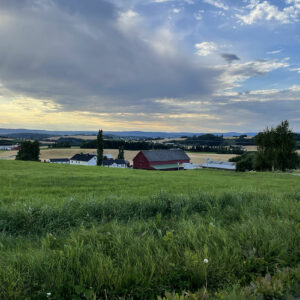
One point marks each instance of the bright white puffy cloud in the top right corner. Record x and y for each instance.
(264, 11)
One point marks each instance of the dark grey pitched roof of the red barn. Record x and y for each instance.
(165, 155)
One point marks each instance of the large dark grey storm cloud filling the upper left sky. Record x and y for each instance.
(74, 52)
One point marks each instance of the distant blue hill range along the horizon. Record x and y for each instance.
(28, 133)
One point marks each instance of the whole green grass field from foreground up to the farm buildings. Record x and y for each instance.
(100, 233)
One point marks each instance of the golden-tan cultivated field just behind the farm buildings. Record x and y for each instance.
(46, 153)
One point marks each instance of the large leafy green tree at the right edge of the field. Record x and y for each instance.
(276, 149)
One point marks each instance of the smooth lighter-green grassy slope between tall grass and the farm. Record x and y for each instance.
(52, 184)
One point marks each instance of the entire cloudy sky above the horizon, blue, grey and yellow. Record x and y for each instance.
(150, 65)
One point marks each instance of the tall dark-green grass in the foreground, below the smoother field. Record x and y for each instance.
(141, 248)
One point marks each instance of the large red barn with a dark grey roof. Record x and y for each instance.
(160, 159)
